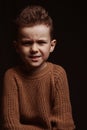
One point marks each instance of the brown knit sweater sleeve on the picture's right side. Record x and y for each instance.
(61, 117)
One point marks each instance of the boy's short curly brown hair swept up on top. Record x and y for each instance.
(34, 15)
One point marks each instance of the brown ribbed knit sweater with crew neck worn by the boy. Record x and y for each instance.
(37, 101)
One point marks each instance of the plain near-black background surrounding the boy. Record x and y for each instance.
(70, 26)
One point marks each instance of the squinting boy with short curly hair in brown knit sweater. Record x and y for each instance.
(36, 94)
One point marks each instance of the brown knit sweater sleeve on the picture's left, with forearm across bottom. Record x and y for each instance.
(10, 106)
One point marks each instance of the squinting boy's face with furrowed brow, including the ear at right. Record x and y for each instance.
(34, 45)
